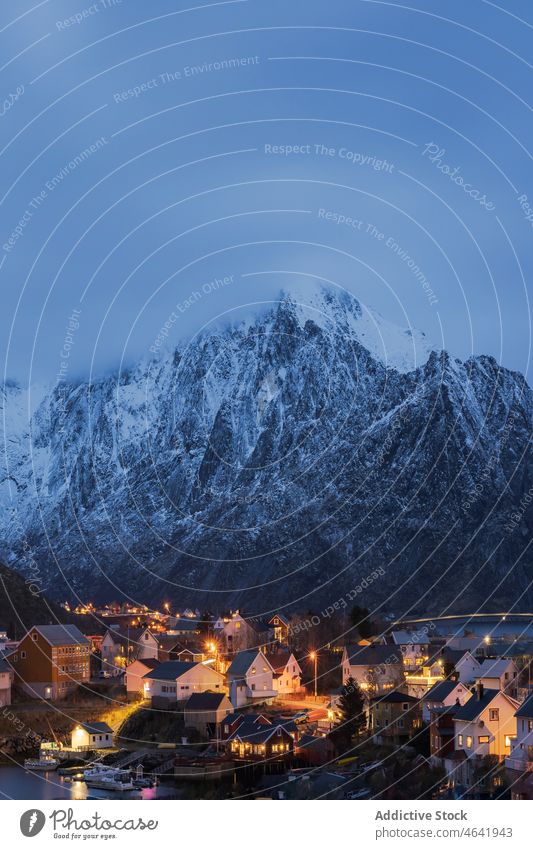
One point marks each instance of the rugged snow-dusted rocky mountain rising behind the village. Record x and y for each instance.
(278, 461)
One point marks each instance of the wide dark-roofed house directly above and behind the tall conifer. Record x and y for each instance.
(375, 668)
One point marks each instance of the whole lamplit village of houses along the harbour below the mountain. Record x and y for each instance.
(198, 705)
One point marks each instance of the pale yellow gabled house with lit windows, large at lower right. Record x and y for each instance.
(483, 726)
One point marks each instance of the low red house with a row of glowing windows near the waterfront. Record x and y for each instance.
(253, 740)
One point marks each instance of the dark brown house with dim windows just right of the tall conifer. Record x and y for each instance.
(394, 718)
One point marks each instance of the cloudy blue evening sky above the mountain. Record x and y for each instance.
(156, 139)
